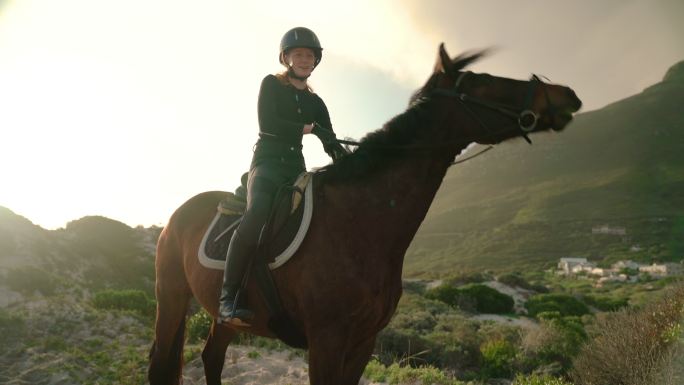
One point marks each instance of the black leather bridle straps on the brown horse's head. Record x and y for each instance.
(525, 117)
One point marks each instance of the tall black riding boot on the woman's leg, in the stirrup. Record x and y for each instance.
(237, 260)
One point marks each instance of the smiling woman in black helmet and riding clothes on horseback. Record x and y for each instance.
(287, 109)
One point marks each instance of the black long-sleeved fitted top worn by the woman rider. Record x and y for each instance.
(283, 112)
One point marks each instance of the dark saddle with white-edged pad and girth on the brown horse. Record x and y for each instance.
(280, 238)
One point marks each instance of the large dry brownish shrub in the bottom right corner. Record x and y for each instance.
(632, 346)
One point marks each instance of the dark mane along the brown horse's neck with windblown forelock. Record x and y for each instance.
(378, 148)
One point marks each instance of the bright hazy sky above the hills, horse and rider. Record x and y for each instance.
(128, 108)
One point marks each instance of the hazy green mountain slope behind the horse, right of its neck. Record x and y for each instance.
(520, 205)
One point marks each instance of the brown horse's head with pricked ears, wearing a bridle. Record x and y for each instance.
(501, 108)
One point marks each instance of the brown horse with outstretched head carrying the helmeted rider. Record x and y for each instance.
(343, 284)
